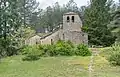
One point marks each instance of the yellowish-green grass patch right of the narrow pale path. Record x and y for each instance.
(102, 68)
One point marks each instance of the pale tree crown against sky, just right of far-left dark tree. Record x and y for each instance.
(27, 9)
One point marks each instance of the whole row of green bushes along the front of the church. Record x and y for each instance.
(61, 48)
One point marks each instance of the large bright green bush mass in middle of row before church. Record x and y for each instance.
(60, 48)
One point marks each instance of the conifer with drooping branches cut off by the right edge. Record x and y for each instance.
(115, 24)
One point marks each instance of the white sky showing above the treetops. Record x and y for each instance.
(45, 3)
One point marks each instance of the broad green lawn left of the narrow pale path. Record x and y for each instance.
(45, 67)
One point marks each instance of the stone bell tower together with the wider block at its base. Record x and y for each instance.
(72, 31)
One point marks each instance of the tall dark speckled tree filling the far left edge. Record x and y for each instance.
(9, 23)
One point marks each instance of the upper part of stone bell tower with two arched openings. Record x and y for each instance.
(71, 22)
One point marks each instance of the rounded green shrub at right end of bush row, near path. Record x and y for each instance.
(82, 50)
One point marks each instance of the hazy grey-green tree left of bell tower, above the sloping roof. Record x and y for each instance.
(51, 17)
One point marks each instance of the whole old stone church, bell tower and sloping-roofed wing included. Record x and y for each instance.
(71, 30)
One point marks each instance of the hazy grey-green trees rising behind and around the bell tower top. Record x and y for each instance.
(48, 19)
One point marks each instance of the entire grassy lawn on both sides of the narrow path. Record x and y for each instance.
(57, 67)
